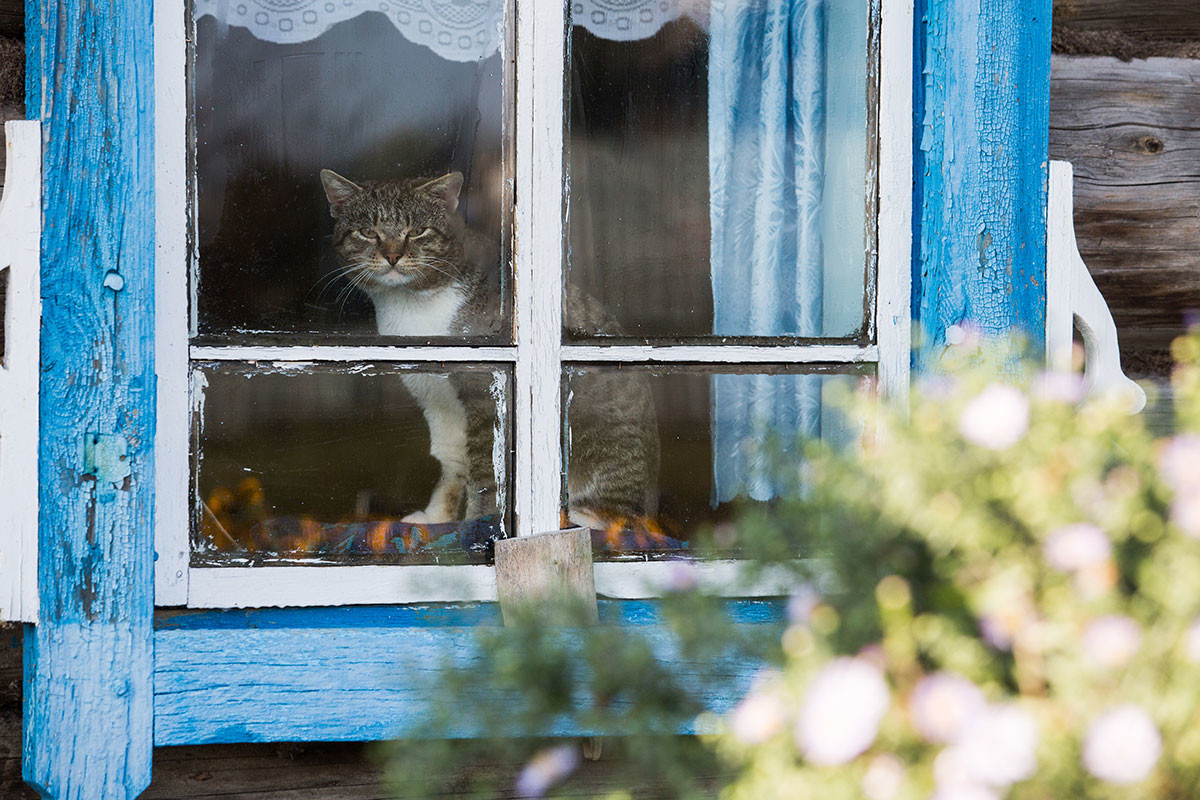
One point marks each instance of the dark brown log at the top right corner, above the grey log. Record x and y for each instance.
(1175, 20)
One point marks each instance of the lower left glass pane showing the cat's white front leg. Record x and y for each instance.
(355, 464)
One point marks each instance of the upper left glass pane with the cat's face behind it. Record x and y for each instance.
(391, 100)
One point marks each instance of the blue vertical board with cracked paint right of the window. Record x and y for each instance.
(981, 199)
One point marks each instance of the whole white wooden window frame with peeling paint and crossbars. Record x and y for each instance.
(538, 354)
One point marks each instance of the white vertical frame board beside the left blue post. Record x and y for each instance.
(172, 315)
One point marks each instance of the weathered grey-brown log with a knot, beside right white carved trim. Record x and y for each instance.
(1131, 133)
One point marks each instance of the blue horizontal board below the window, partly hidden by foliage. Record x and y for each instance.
(359, 675)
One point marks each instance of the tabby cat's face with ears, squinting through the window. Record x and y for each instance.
(399, 233)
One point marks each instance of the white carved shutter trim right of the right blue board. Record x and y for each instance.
(1075, 302)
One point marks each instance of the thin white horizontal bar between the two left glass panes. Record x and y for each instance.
(356, 354)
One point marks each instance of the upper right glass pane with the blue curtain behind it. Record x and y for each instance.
(719, 169)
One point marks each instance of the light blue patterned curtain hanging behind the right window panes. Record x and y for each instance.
(767, 135)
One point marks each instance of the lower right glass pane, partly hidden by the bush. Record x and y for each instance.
(657, 454)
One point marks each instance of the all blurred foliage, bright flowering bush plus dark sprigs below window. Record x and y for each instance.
(995, 596)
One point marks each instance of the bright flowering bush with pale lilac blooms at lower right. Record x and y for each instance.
(1034, 625)
